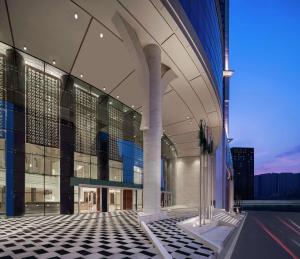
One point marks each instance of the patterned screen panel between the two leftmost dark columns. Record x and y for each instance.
(42, 108)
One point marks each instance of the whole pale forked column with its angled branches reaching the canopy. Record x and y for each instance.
(148, 67)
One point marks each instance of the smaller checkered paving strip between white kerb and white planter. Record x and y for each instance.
(177, 243)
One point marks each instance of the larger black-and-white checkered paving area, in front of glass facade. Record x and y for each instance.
(96, 235)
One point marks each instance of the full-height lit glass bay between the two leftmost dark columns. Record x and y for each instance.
(42, 158)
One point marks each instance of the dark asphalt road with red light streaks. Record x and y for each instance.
(269, 235)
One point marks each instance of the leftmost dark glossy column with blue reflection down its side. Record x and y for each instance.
(15, 133)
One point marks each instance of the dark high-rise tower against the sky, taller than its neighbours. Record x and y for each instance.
(243, 167)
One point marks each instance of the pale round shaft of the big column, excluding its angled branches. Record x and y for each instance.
(152, 136)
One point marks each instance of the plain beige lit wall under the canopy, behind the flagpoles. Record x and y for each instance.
(187, 181)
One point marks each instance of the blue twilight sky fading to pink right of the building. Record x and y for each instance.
(265, 89)
